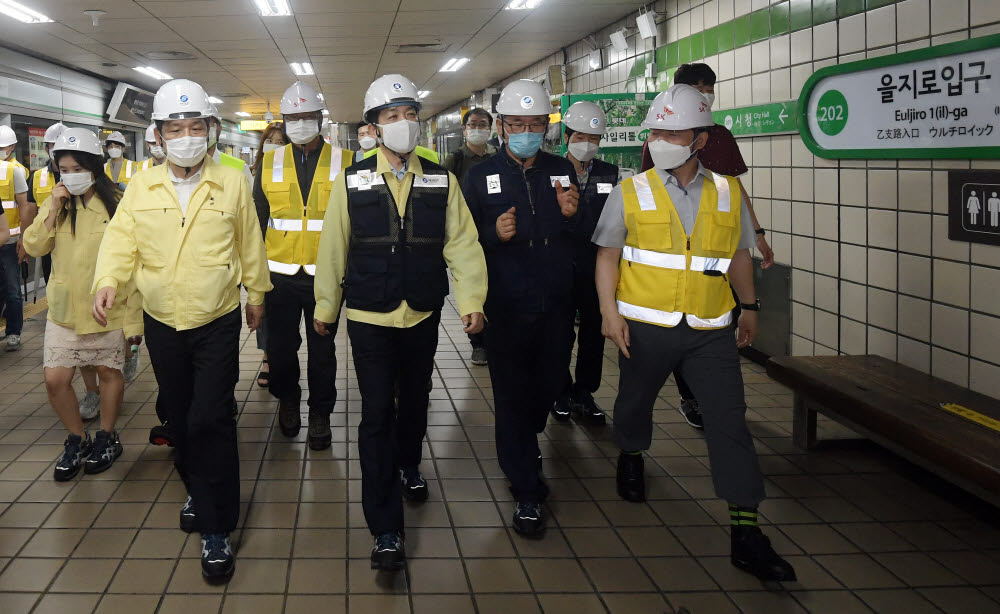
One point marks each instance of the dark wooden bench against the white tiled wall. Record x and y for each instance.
(899, 408)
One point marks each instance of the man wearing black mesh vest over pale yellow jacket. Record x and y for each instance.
(393, 224)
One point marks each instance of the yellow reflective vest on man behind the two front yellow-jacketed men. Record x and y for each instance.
(292, 236)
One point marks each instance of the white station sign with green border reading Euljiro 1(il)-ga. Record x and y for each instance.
(938, 102)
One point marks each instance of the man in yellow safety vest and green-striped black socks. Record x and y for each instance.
(672, 240)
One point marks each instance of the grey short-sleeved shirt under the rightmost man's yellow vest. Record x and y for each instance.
(611, 230)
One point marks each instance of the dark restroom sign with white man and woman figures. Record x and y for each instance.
(974, 206)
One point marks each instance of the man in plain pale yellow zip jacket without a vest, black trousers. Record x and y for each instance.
(189, 231)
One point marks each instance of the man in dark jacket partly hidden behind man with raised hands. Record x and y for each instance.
(585, 123)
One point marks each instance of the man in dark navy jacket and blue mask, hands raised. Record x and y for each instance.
(524, 202)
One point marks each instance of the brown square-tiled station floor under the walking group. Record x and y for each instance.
(865, 531)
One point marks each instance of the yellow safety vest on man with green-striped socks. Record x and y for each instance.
(665, 273)
